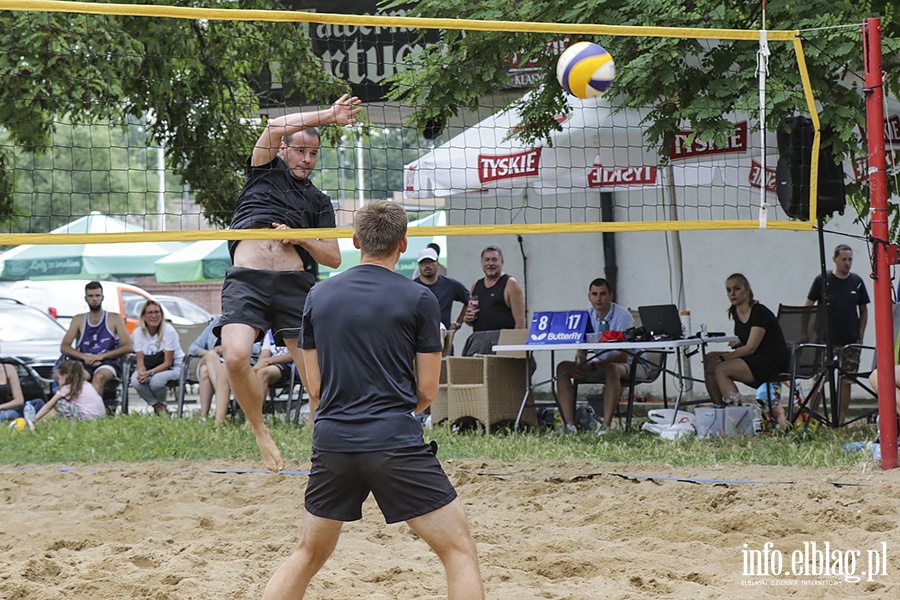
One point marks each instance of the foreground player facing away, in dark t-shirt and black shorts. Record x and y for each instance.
(370, 366)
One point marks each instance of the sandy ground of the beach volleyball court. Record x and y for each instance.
(544, 530)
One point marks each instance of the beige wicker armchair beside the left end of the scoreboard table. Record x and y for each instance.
(488, 389)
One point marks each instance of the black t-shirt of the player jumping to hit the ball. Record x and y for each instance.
(272, 195)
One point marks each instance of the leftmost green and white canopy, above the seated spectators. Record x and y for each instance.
(86, 261)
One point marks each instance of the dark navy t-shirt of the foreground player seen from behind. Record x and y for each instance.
(367, 325)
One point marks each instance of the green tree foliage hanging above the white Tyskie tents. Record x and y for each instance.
(681, 81)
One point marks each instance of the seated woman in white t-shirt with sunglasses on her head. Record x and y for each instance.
(158, 356)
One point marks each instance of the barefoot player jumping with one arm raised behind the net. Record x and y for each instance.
(270, 278)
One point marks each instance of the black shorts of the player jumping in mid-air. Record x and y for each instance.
(265, 300)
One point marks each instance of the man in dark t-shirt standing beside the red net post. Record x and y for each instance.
(847, 313)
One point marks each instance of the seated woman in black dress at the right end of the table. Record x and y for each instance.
(759, 354)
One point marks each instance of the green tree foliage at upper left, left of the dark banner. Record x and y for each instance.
(193, 81)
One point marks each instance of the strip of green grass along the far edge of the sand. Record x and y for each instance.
(139, 438)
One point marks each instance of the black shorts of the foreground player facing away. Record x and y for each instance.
(406, 482)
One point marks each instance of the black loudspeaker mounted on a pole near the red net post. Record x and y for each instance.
(795, 138)
